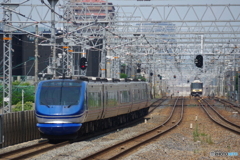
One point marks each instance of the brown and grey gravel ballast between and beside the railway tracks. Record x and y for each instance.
(204, 138)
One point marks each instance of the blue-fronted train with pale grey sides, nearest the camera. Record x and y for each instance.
(63, 106)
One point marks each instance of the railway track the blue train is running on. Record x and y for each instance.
(44, 146)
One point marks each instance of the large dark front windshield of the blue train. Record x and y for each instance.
(60, 93)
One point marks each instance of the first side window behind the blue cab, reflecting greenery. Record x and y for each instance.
(94, 100)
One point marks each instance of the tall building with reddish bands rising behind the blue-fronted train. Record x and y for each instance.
(86, 12)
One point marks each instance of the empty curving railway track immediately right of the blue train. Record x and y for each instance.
(118, 150)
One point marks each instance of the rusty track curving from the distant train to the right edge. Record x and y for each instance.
(217, 118)
